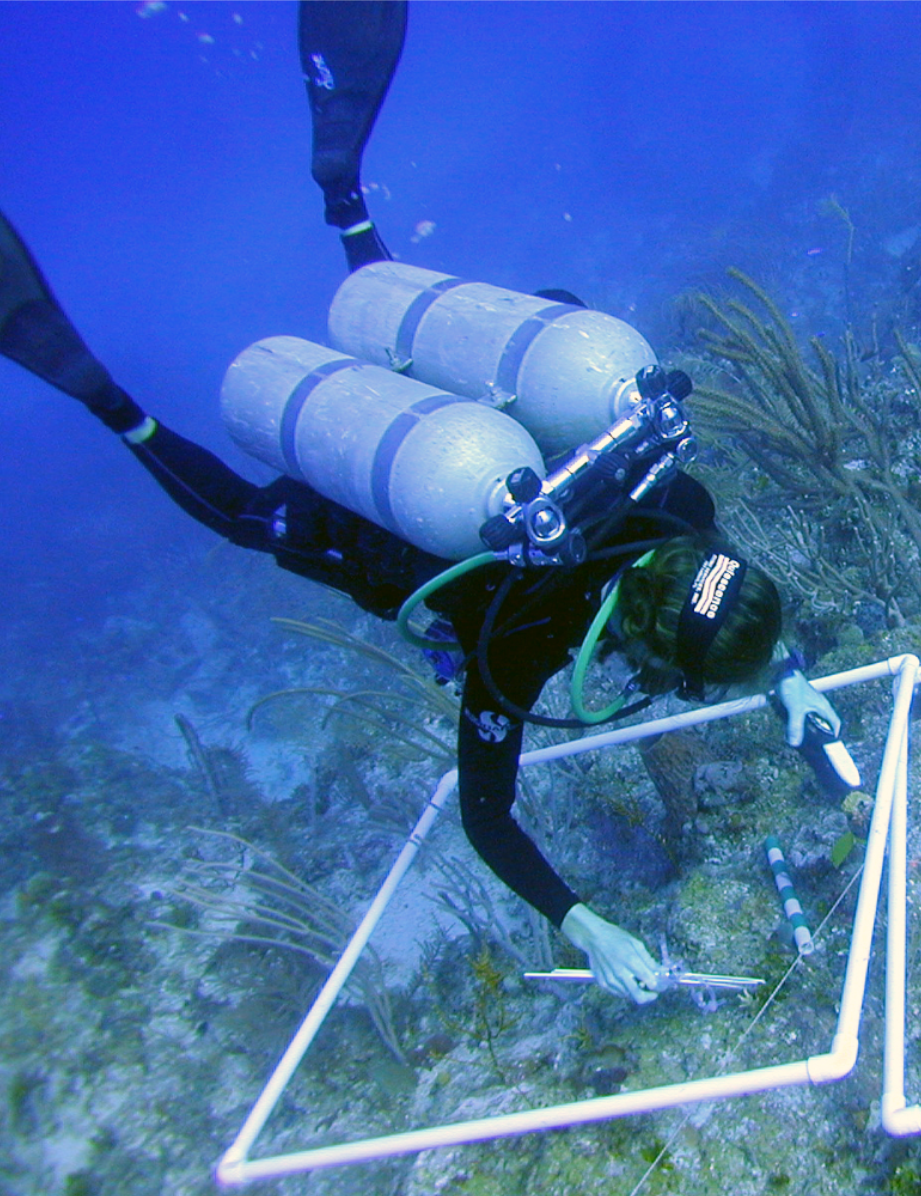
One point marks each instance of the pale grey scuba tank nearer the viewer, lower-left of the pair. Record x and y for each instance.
(429, 466)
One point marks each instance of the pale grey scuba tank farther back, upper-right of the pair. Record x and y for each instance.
(566, 373)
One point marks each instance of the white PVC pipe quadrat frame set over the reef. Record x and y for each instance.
(889, 823)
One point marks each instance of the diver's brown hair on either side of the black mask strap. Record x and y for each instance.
(651, 599)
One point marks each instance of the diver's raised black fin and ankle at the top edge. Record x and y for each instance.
(349, 51)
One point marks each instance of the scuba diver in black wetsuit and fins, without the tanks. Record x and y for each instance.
(684, 607)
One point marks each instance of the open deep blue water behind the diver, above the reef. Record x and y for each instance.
(626, 151)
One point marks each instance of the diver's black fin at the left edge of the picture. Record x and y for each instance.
(36, 334)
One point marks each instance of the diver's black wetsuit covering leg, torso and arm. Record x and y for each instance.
(544, 618)
